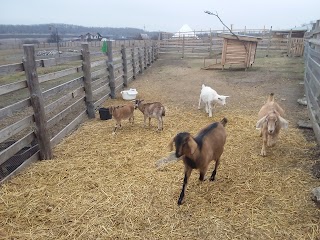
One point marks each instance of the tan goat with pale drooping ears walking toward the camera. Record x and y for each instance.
(270, 122)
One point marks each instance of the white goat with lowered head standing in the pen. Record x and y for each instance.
(209, 97)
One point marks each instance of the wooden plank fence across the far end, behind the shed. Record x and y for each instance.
(209, 45)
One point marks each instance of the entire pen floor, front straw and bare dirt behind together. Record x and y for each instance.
(107, 187)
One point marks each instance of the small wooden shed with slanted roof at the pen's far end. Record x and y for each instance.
(238, 50)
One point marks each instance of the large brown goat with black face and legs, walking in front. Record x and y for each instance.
(199, 151)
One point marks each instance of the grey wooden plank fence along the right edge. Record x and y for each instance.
(312, 77)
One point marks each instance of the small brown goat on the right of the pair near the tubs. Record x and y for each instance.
(151, 110)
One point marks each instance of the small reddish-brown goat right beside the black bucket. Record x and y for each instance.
(121, 113)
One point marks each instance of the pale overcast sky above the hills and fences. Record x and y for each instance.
(162, 15)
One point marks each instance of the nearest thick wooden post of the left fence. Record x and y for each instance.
(37, 102)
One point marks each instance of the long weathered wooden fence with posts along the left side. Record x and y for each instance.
(28, 128)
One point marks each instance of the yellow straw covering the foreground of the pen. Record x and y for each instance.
(104, 186)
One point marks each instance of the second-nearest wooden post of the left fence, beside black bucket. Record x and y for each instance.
(86, 67)
